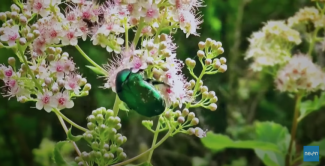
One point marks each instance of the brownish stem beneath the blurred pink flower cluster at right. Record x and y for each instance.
(293, 128)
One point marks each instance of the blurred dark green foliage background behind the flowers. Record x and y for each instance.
(26, 134)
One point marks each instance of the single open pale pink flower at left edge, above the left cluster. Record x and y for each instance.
(10, 35)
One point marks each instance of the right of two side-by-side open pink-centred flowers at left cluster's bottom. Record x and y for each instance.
(62, 100)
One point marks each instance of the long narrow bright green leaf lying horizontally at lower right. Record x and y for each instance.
(219, 142)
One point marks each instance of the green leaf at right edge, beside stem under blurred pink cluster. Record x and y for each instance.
(309, 106)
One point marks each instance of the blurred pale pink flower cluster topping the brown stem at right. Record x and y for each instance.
(300, 74)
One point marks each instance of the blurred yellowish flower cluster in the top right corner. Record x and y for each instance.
(306, 16)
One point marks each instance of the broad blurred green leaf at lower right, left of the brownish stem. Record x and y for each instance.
(270, 132)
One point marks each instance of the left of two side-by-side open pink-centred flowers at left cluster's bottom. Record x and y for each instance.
(45, 101)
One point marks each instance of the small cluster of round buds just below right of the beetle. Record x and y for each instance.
(184, 119)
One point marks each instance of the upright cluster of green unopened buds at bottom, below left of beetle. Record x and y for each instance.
(103, 139)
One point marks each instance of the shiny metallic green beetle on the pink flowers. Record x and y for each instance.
(138, 94)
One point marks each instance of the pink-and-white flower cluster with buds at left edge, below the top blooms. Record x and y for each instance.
(52, 78)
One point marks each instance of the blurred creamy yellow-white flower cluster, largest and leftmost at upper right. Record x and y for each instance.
(272, 45)
